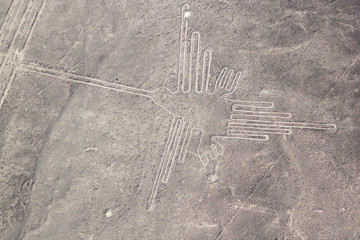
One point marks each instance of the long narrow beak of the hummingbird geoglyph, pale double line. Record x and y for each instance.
(84, 80)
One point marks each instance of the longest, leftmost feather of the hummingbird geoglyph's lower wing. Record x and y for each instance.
(155, 187)
